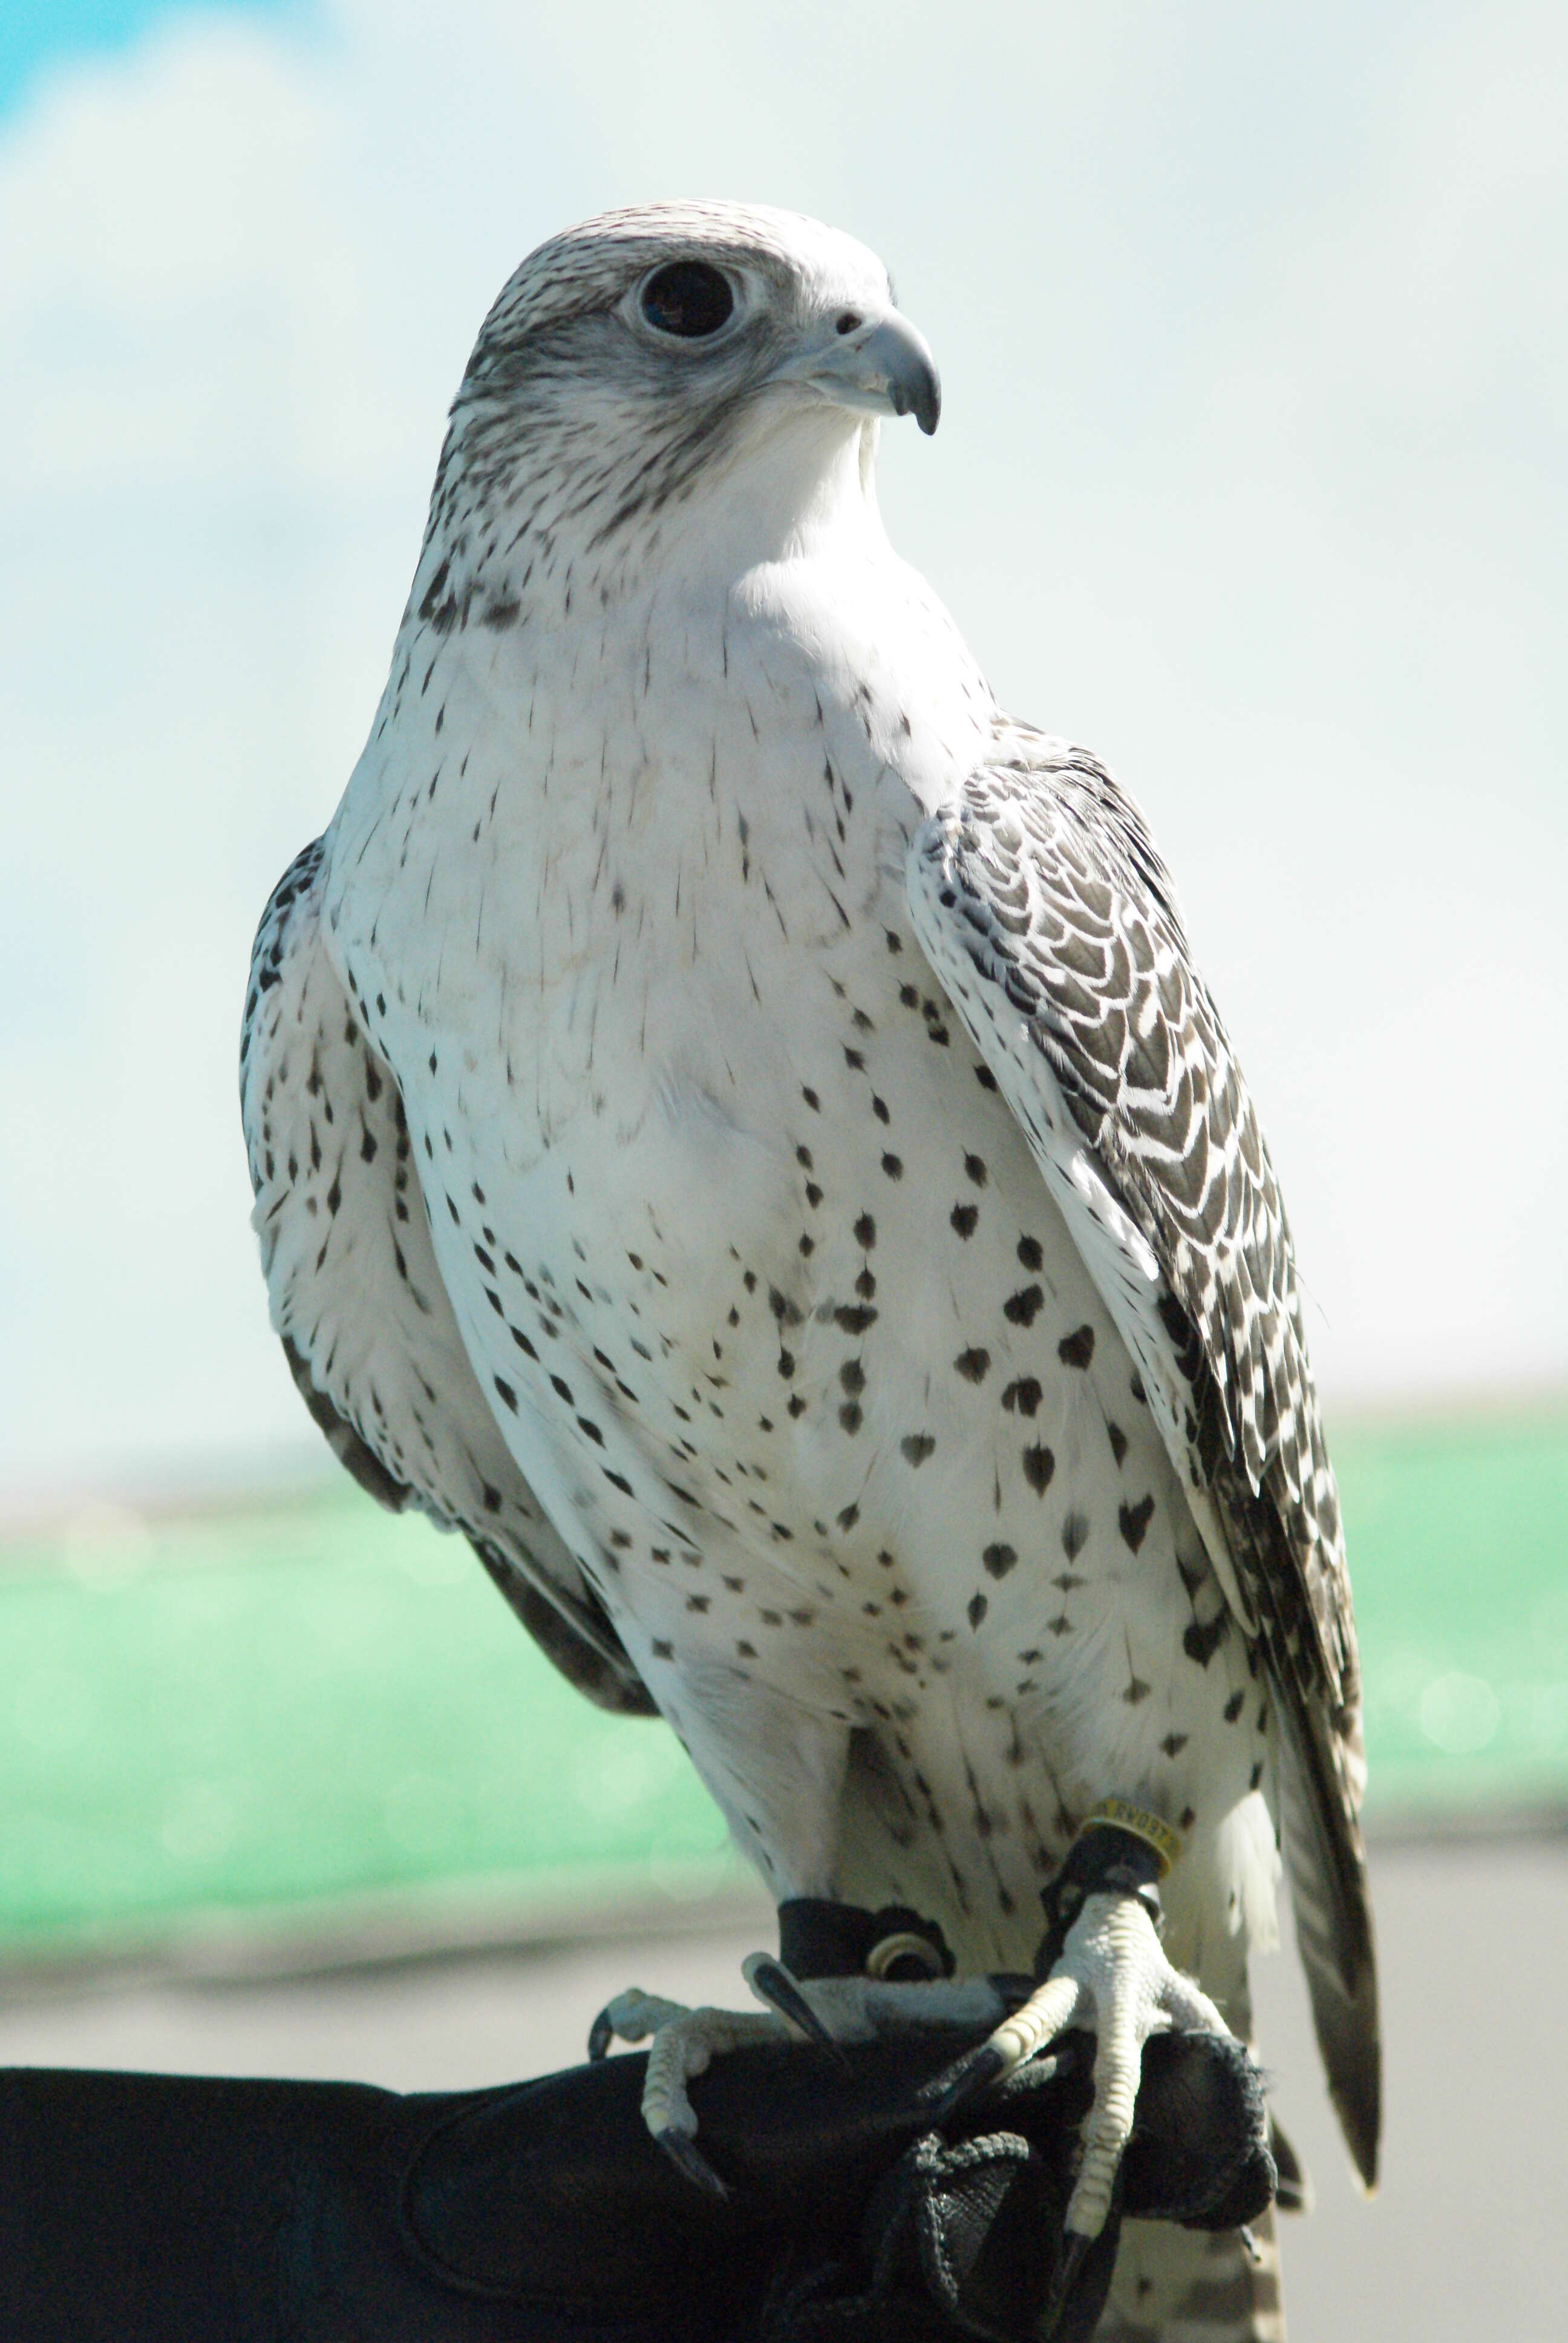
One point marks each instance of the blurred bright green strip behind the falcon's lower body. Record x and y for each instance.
(311, 1719)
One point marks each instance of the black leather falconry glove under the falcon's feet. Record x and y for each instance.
(189, 2211)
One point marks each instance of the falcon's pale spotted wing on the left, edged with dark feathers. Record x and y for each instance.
(360, 1304)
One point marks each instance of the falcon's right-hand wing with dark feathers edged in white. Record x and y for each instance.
(1054, 927)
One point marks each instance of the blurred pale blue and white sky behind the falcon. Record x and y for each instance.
(1255, 339)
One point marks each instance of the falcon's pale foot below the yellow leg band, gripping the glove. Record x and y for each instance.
(1107, 1974)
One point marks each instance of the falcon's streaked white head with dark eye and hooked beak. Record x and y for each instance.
(650, 353)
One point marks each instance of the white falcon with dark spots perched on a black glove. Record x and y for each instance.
(739, 1133)
